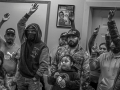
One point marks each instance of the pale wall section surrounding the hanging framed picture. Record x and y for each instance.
(54, 32)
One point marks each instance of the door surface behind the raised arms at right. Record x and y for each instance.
(100, 18)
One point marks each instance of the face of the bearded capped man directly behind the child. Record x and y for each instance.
(73, 41)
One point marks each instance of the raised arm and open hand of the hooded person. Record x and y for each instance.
(22, 23)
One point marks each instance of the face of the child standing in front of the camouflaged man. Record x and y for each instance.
(66, 63)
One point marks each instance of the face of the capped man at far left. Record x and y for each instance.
(10, 38)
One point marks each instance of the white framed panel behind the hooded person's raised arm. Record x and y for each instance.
(17, 11)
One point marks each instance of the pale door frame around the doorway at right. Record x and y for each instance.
(86, 16)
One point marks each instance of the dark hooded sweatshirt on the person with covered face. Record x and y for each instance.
(30, 51)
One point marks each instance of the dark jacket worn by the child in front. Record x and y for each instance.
(71, 78)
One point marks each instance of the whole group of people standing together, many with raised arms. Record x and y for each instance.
(68, 67)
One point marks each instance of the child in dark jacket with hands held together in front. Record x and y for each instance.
(66, 78)
